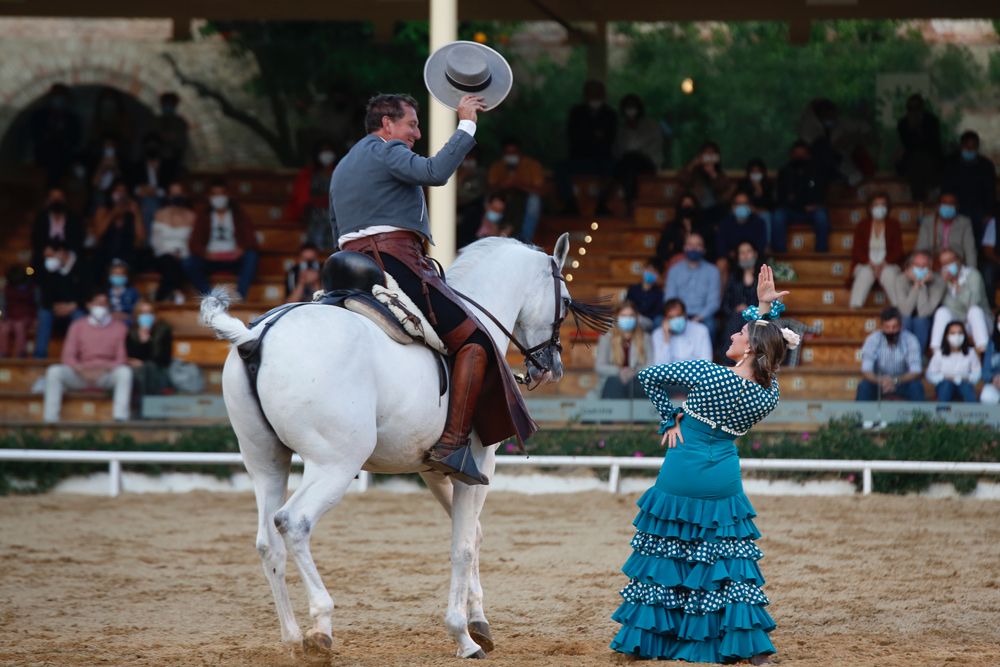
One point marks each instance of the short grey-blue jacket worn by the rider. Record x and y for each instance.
(380, 183)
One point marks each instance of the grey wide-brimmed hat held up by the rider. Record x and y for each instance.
(467, 68)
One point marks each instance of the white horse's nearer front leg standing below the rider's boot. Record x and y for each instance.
(467, 502)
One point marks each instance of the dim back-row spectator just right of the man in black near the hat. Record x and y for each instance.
(638, 147)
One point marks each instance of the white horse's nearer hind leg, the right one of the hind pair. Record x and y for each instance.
(323, 487)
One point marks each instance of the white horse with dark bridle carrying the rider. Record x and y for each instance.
(337, 391)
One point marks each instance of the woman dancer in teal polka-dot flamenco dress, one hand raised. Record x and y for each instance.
(694, 590)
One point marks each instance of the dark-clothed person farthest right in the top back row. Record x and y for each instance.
(921, 158)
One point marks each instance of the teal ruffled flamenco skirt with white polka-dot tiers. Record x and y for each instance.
(694, 591)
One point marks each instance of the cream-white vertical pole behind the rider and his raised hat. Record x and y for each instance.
(443, 199)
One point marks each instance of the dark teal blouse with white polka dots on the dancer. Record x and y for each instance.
(717, 396)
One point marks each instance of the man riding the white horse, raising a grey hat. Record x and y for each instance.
(377, 207)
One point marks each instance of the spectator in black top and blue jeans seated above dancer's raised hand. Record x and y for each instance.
(801, 193)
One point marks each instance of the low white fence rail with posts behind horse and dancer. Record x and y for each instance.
(615, 464)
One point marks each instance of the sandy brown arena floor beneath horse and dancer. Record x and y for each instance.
(164, 580)
